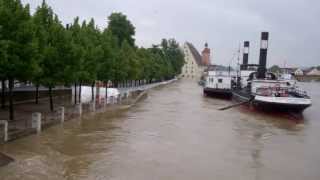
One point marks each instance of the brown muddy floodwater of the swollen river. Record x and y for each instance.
(175, 133)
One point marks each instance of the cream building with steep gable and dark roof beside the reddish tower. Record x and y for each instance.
(194, 65)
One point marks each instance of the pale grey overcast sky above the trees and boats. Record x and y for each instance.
(294, 25)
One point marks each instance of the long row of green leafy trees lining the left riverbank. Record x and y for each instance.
(40, 49)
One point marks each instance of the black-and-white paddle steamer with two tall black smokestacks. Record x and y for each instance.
(264, 90)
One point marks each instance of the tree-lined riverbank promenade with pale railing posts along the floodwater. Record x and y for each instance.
(23, 125)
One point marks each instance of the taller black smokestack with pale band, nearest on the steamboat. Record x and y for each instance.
(263, 55)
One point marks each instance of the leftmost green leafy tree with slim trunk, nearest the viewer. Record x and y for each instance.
(16, 44)
